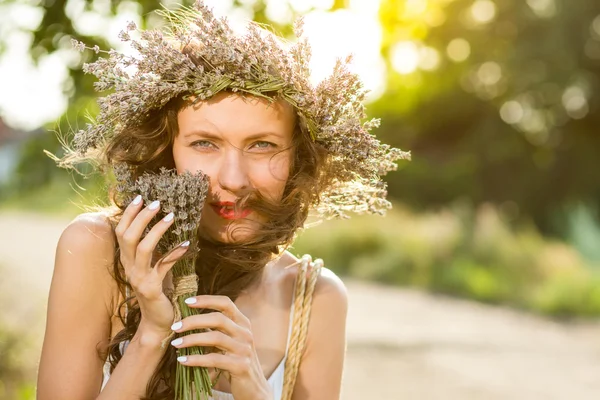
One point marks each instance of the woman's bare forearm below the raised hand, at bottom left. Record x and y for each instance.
(133, 372)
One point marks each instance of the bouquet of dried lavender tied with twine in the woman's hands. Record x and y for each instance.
(183, 195)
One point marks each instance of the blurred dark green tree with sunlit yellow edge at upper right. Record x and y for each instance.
(498, 100)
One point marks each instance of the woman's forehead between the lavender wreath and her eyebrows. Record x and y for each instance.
(229, 113)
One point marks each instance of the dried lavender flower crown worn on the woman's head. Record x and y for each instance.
(256, 63)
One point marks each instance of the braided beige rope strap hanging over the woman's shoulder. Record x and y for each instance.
(305, 284)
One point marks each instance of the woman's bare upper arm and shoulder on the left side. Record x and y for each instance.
(79, 311)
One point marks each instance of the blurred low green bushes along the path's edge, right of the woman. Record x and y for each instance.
(477, 254)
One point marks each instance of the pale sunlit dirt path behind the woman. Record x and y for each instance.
(402, 344)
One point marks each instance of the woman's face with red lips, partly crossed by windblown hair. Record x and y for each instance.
(243, 144)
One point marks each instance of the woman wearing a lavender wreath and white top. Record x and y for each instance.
(241, 110)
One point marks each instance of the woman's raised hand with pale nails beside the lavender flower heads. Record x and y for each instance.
(136, 258)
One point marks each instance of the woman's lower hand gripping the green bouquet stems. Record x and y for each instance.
(231, 332)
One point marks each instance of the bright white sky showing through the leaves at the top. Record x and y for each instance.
(31, 96)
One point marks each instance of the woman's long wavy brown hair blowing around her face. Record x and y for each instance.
(222, 268)
